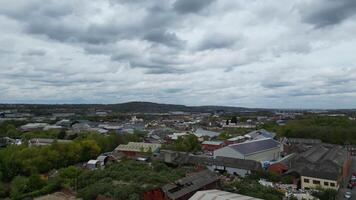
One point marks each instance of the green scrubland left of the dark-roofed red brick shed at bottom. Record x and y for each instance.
(125, 180)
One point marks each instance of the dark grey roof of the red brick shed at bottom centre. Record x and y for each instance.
(189, 184)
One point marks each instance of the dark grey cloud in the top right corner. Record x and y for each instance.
(323, 13)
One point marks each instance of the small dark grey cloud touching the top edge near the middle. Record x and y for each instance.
(190, 6)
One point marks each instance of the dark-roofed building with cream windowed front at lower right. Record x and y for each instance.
(324, 166)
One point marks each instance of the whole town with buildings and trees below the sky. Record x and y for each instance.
(173, 152)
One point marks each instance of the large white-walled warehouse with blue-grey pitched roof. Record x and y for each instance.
(258, 150)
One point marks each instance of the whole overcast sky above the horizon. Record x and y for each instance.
(249, 53)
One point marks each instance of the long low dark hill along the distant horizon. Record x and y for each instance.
(145, 107)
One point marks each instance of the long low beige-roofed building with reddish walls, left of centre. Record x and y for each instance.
(134, 149)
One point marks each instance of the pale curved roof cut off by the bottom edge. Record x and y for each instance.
(219, 195)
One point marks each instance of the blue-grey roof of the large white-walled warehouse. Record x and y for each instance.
(255, 146)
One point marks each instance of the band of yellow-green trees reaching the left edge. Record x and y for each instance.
(23, 160)
